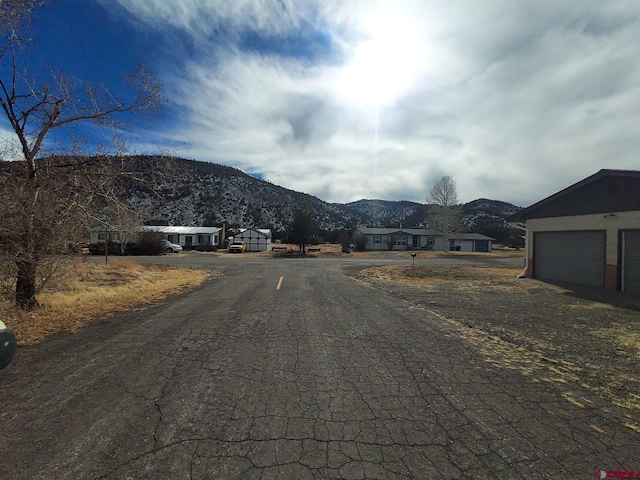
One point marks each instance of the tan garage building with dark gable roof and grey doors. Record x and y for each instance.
(587, 234)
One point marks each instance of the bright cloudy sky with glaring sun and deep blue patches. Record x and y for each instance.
(352, 99)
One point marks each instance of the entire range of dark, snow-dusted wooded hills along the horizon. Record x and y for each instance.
(202, 193)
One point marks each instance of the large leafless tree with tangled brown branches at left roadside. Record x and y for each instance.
(45, 199)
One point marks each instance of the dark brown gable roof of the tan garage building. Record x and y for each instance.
(603, 192)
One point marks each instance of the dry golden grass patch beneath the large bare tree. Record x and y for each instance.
(94, 290)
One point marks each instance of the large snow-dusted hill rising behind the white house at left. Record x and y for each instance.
(202, 193)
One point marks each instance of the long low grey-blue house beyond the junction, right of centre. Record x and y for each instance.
(420, 238)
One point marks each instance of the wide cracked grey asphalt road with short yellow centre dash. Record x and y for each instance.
(288, 369)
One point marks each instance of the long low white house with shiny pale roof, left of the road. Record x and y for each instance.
(188, 237)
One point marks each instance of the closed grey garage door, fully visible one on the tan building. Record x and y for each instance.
(571, 257)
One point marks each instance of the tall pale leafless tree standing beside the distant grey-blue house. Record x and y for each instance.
(443, 210)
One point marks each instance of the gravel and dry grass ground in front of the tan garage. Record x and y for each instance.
(583, 342)
